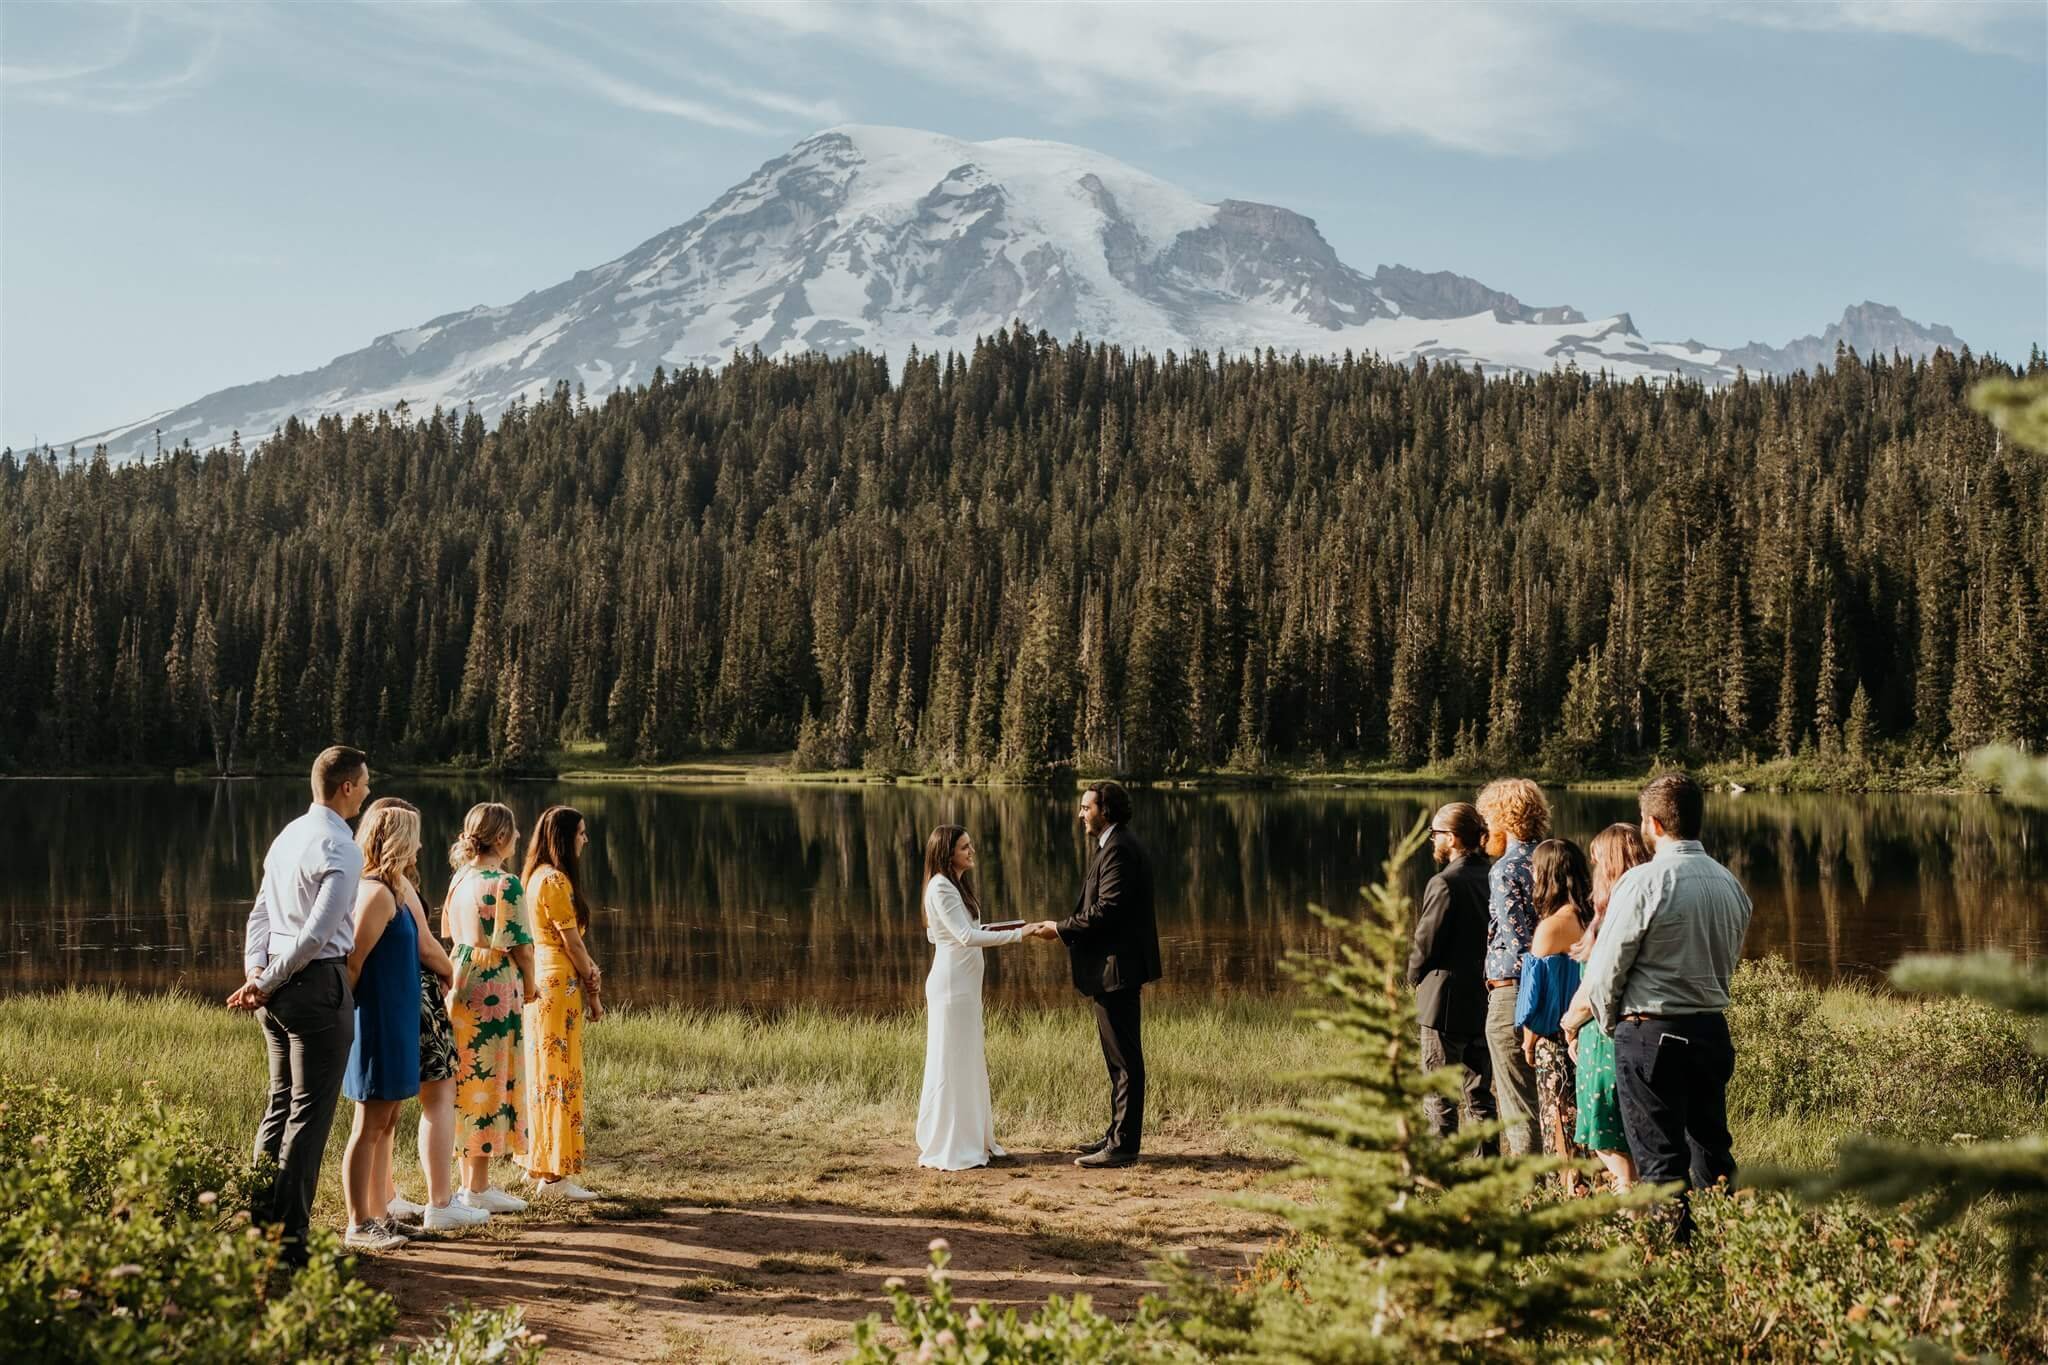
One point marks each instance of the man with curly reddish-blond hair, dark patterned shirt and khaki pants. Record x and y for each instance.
(1517, 818)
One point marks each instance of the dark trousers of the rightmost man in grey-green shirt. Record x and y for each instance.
(1674, 1088)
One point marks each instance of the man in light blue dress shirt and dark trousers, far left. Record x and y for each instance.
(296, 959)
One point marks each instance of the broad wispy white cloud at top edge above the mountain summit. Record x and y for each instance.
(1469, 77)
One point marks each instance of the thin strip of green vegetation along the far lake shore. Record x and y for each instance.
(589, 762)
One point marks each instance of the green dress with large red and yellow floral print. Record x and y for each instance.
(490, 1102)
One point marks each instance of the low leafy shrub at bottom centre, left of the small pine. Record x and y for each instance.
(939, 1329)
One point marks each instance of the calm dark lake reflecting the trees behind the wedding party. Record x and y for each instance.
(771, 897)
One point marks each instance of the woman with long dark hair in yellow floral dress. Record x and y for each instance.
(566, 998)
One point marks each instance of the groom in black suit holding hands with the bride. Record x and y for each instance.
(1115, 949)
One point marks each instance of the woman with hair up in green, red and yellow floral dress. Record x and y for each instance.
(493, 981)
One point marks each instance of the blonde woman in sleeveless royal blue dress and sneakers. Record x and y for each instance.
(384, 1063)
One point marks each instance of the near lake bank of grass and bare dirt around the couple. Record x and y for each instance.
(763, 1176)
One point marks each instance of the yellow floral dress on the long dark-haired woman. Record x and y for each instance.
(554, 1039)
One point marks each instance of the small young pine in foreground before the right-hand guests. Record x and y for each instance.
(1410, 1233)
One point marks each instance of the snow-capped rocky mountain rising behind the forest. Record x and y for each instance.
(892, 238)
